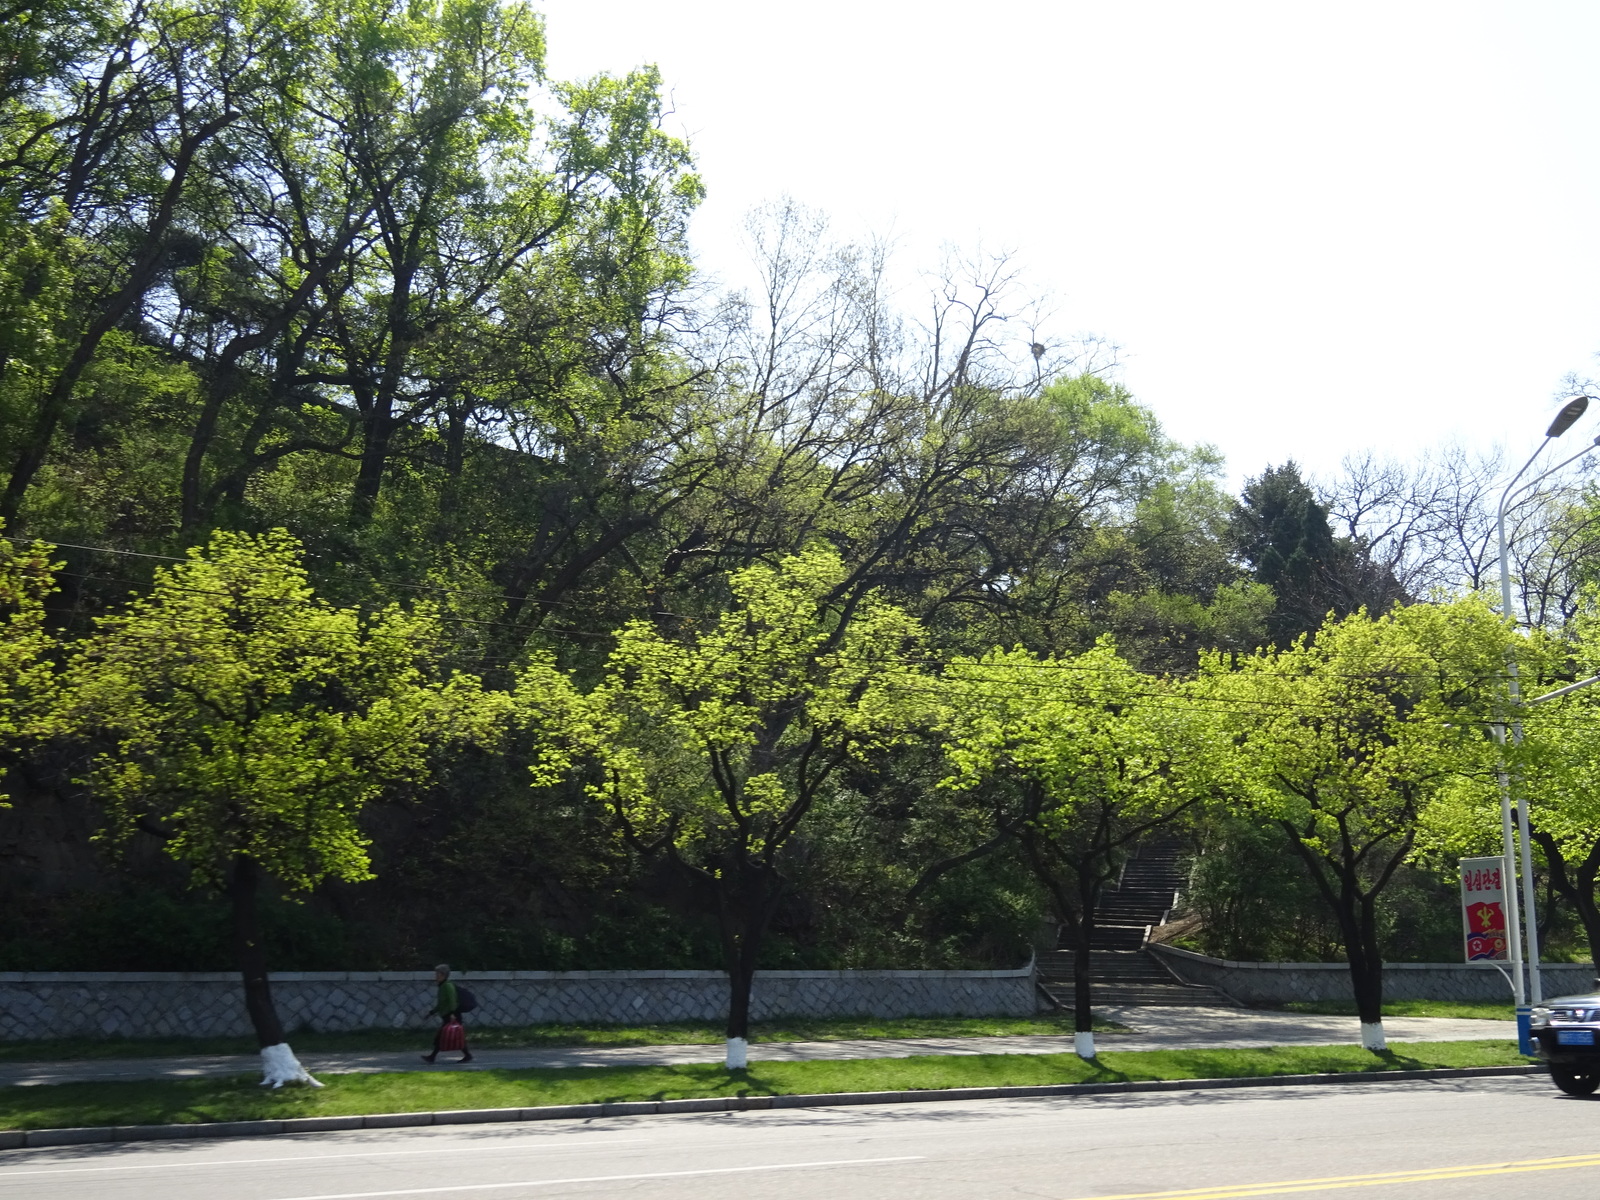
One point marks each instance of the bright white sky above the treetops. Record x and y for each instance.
(1313, 230)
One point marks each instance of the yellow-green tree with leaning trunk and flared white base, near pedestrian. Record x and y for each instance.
(247, 724)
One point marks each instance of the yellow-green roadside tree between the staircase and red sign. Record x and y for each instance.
(1346, 743)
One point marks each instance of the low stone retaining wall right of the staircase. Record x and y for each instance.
(1281, 983)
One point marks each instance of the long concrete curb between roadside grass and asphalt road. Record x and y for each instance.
(17, 1140)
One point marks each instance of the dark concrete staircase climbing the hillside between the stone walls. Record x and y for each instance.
(1121, 970)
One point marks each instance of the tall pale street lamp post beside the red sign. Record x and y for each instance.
(1566, 420)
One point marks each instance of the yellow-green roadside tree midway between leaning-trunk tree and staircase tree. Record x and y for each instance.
(714, 748)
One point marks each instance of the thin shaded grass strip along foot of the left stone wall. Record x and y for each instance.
(522, 1038)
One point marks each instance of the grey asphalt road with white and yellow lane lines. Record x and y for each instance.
(1465, 1140)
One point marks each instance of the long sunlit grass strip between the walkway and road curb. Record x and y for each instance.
(242, 1098)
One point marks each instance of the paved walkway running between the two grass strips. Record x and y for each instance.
(1153, 1030)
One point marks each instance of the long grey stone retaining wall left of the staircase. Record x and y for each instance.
(42, 1004)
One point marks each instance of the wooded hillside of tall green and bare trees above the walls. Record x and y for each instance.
(410, 556)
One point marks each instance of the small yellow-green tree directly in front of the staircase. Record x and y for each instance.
(1074, 761)
